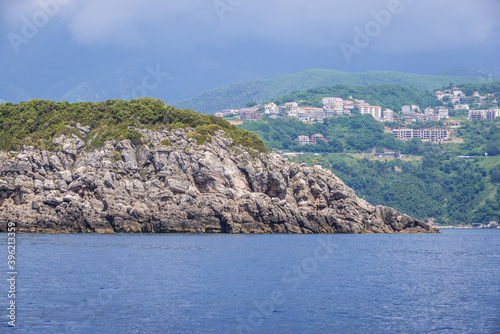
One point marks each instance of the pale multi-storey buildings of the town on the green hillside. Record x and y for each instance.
(454, 99)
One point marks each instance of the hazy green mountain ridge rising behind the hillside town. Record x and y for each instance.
(237, 95)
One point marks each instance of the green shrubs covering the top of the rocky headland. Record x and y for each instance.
(37, 122)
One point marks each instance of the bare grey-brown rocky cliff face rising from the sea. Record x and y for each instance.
(175, 184)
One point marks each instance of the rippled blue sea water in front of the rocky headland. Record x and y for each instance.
(125, 283)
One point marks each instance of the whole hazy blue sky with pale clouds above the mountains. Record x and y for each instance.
(47, 45)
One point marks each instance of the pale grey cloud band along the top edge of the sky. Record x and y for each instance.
(182, 25)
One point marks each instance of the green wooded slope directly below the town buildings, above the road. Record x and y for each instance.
(363, 134)
